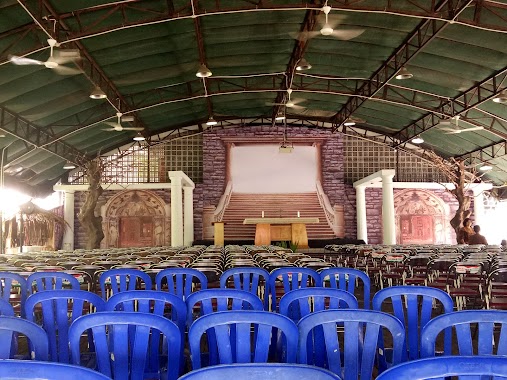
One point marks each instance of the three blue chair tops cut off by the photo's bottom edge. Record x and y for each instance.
(463, 367)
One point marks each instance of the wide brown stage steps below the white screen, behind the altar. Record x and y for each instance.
(242, 206)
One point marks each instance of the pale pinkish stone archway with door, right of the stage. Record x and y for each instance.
(420, 217)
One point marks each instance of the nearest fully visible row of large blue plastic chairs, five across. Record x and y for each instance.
(127, 344)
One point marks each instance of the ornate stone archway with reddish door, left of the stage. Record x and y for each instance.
(135, 218)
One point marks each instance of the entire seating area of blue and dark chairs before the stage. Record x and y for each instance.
(346, 312)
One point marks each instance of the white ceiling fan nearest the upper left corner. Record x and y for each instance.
(57, 58)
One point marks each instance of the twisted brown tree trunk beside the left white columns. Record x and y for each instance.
(91, 223)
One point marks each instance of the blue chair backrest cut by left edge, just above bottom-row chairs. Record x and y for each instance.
(38, 340)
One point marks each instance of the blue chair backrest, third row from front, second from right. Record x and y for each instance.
(300, 302)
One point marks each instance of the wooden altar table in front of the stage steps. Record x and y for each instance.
(279, 229)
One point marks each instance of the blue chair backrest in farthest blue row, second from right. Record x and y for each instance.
(291, 278)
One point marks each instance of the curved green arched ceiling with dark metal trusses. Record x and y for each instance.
(144, 54)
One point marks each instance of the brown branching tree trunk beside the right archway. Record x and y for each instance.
(456, 173)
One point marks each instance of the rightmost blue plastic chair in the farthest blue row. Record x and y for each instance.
(347, 279)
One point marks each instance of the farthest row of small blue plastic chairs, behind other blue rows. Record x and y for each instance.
(183, 281)
